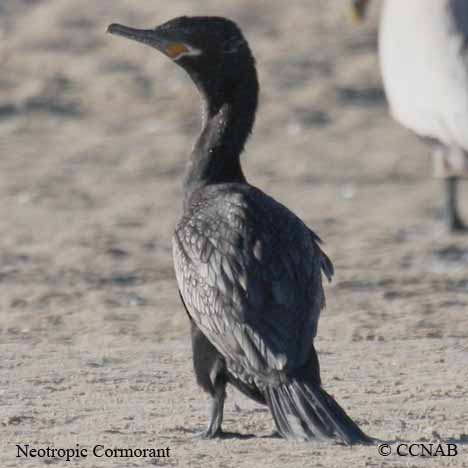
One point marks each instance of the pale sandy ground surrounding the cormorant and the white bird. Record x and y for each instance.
(94, 134)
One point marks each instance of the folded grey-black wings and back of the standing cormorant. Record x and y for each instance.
(249, 272)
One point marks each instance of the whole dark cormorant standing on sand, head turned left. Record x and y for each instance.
(248, 269)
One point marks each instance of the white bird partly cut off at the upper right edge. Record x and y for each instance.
(423, 48)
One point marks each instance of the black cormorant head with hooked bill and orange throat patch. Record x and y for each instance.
(212, 50)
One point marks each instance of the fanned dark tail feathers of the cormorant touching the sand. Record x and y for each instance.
(305, 411)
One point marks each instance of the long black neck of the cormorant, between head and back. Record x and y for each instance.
(228, 118)
